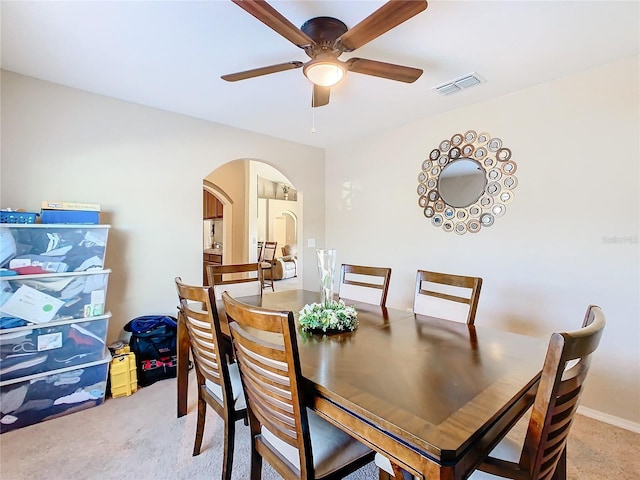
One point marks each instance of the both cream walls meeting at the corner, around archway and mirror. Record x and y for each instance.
(569, 238)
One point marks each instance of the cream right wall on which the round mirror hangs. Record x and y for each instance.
(576, 142)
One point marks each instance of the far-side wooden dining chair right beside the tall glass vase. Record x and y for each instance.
(364, 284)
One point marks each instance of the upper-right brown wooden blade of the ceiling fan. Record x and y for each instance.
(390, 15)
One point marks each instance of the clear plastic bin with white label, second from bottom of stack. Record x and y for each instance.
(35, 349)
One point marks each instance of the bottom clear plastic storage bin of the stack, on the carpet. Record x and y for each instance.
(35, 398)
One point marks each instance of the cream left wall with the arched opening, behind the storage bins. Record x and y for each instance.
(146, 168)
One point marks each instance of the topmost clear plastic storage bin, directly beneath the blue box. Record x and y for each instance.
(31, 249)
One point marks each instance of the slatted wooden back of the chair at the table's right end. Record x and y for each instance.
(565, 370)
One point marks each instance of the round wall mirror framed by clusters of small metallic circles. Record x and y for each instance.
(466, 182)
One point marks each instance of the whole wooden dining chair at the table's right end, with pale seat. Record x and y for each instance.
(563, 375)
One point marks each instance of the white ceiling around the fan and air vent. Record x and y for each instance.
(171, 54)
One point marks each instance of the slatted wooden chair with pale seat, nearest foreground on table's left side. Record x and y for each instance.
(296, 442)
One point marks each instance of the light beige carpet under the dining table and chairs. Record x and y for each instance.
(139, 437)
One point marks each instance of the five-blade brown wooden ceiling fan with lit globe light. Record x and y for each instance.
(324, 39)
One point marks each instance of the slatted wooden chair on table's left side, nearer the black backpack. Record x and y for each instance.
(219, 384)
